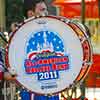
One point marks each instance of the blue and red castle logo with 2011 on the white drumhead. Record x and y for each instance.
(46, 58)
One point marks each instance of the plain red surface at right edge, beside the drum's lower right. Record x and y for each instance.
(93, 77)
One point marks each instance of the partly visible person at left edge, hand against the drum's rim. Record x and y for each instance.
(4, 72)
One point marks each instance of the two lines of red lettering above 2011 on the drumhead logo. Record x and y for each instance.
(42, 64)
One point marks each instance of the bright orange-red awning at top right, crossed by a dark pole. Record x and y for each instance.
(72, 8)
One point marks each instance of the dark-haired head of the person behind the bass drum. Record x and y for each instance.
(35, 8)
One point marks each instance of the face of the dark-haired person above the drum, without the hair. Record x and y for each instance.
(41, 9)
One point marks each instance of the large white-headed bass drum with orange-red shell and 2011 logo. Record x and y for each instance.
(49, 54)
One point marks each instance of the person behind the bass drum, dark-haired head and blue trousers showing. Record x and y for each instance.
(36, 8)
